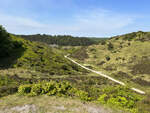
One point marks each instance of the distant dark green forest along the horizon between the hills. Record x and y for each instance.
(63, 40)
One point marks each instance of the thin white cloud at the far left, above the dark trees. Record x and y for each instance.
(16, 24)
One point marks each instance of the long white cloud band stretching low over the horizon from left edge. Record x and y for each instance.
(88, 23)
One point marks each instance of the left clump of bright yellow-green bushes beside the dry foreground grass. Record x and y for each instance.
(49, 88)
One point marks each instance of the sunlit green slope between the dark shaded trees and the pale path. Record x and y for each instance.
(43, 58)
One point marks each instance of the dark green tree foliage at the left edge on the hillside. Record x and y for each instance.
(9, 49)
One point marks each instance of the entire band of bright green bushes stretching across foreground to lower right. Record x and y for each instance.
(119, 96)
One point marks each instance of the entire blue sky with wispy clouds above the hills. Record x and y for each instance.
(98, 18)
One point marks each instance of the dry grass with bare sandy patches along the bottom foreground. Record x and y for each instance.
(46, 104)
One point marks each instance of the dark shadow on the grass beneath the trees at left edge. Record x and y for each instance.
(10, 58)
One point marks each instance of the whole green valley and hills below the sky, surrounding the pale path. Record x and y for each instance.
(36, 77)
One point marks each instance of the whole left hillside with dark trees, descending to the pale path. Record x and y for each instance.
(22, 61)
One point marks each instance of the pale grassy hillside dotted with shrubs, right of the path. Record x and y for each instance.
(125, 57)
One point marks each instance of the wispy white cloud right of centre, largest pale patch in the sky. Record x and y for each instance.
(101, 22)
